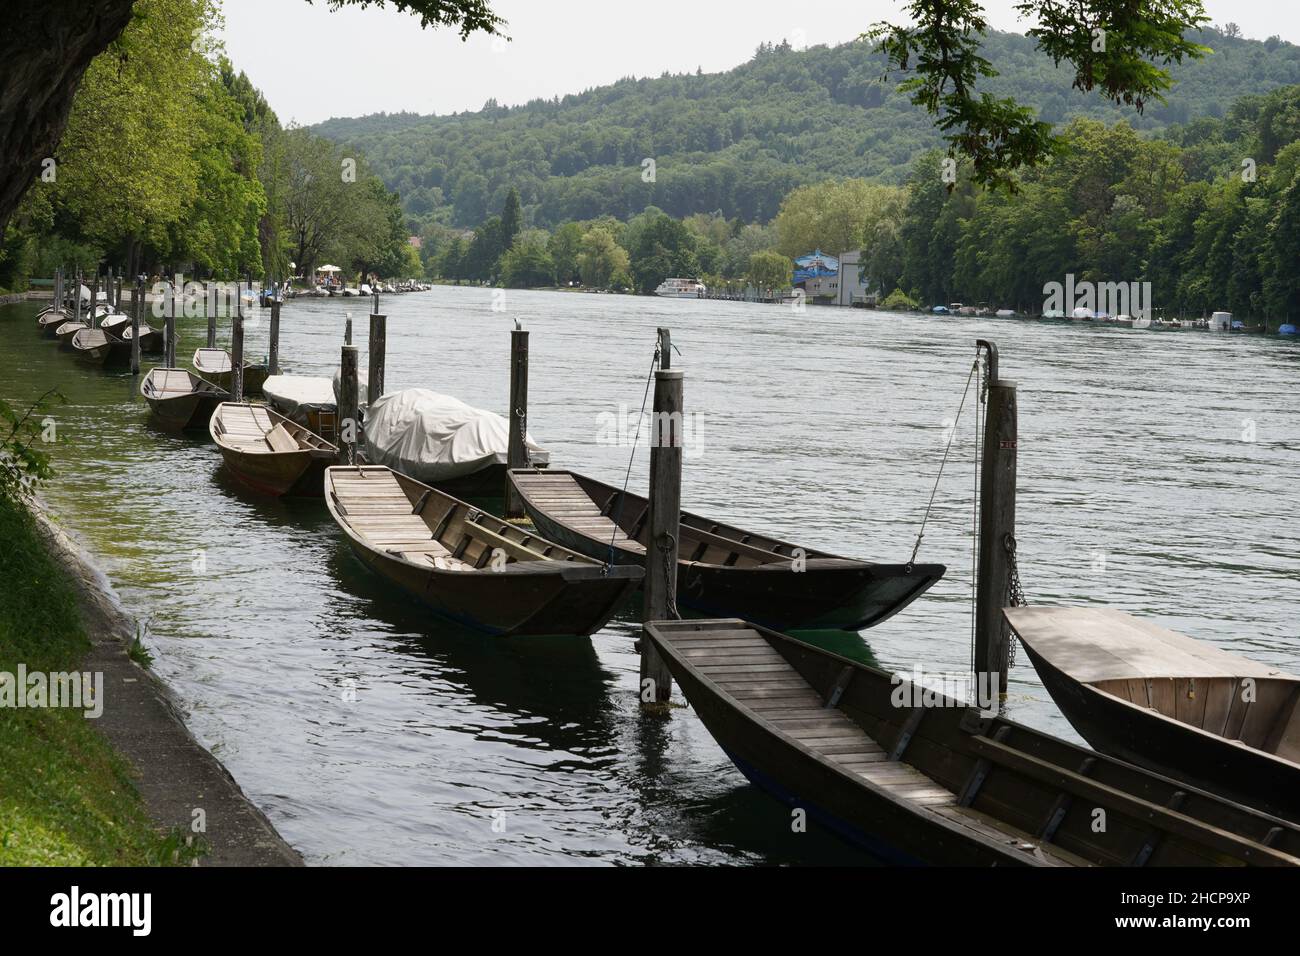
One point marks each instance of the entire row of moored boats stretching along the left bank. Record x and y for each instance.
(1197, 755)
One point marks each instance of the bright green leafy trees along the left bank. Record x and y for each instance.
(174, 162)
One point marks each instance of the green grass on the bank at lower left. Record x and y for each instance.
(66, 797)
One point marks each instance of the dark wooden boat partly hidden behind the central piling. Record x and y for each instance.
(725, 570)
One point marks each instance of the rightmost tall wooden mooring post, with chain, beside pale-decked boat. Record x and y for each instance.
(998, 531)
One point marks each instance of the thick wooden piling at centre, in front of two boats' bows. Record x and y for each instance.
(664, 520)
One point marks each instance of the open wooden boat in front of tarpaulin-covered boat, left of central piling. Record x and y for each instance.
(466, 565)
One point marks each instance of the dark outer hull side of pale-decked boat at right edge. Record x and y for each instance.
(1173, 749)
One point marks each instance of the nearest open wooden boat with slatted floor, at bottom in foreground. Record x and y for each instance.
(918, 777)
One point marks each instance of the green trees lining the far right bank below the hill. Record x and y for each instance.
(1208, 213)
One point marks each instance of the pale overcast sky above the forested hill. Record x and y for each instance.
(314, 64)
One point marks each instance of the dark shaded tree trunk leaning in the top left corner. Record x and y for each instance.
(45, 49)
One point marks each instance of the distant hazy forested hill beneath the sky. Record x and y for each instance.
(739, 141)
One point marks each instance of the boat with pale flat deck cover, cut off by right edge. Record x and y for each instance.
(1176, 706)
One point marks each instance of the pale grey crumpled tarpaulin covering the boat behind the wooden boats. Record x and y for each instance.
(435, 438)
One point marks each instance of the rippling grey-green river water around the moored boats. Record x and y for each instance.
(1158, 474)
